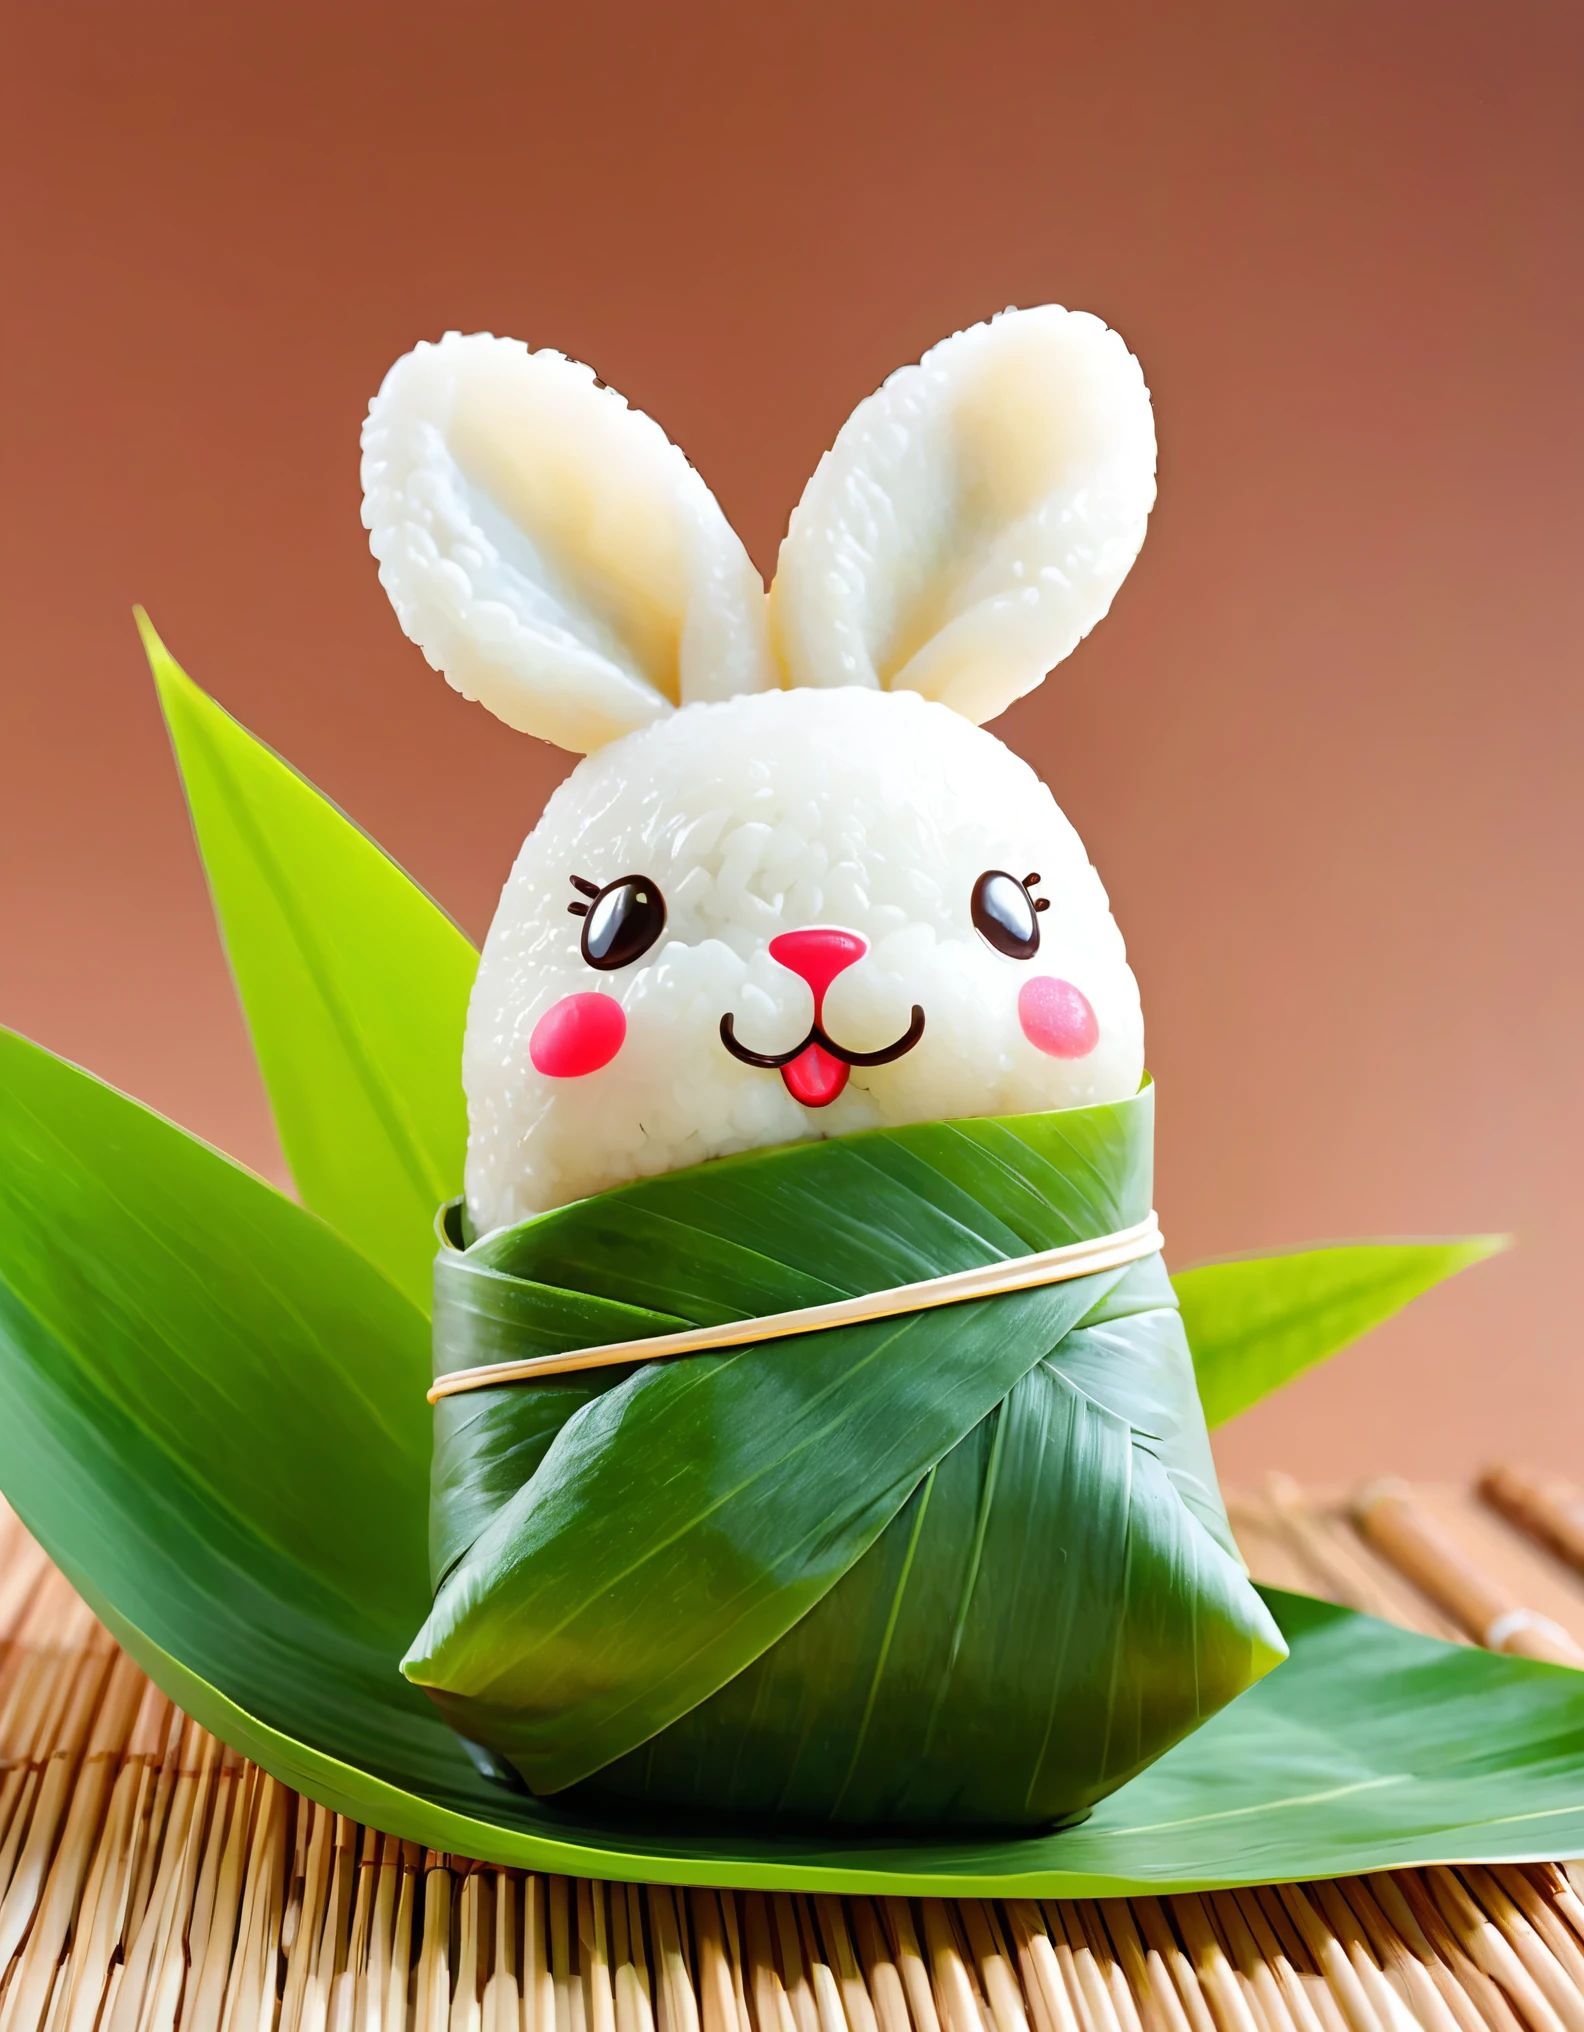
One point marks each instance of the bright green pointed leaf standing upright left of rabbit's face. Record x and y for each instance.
(354, 985)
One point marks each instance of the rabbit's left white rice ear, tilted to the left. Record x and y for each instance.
(549, 550)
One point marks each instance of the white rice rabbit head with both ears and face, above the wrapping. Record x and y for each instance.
(793, 891)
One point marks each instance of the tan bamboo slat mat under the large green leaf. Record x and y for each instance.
(151, 1881)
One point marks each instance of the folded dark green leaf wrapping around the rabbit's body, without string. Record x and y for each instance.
(960, 1566)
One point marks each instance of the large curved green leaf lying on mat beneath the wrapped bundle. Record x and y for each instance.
(212, 1417)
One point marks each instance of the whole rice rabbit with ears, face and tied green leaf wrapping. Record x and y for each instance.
(803, 995)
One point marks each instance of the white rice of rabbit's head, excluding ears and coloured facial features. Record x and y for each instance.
(756, 816)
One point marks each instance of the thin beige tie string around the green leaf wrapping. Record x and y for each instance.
(960, 1287)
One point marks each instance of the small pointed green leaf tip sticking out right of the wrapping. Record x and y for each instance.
(1258, 1322)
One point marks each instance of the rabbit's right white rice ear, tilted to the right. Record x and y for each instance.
(974, 519)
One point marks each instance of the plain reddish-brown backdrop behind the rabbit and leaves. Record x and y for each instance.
(1325, 751)
